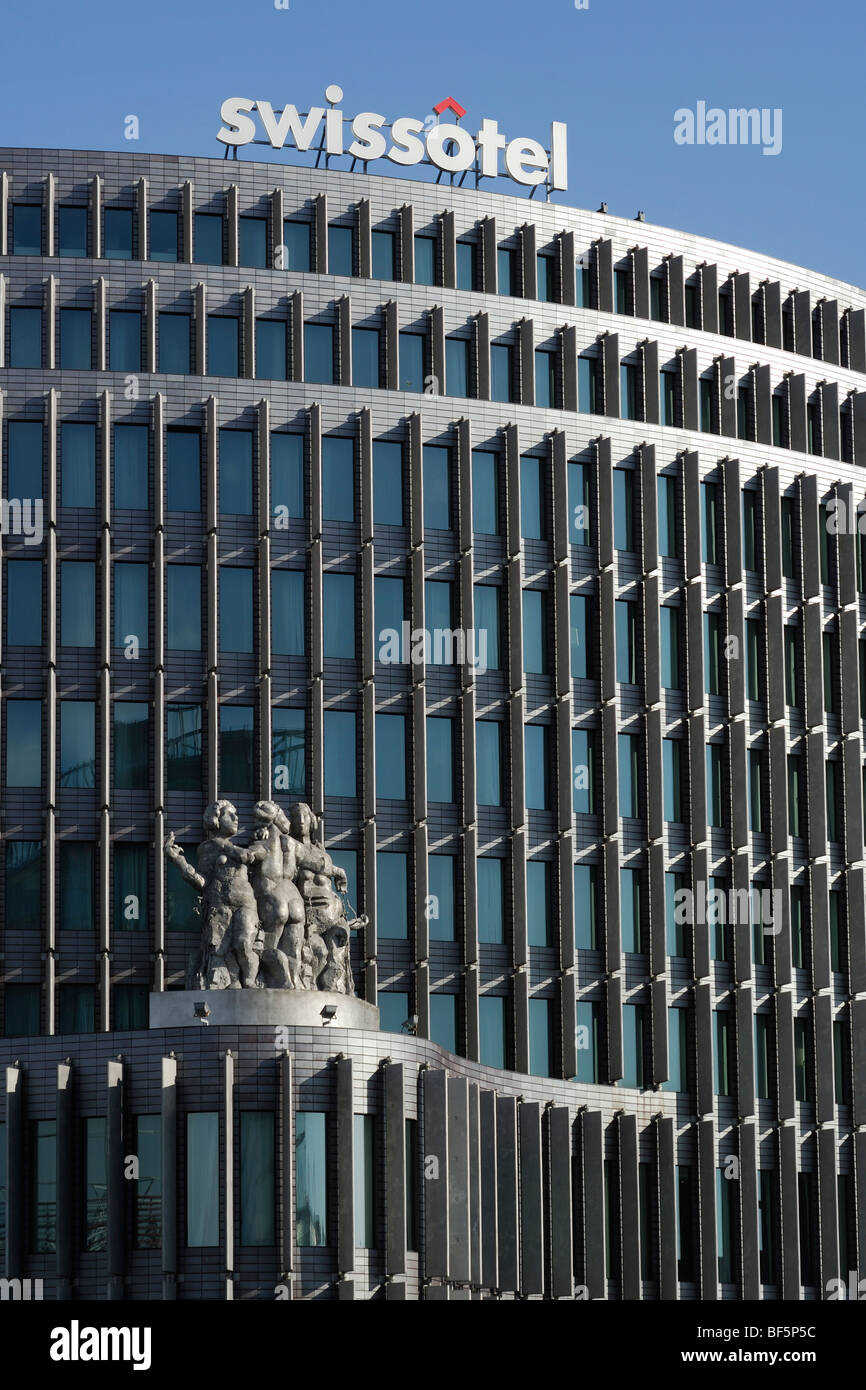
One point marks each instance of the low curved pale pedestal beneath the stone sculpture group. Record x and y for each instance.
(262, 1008)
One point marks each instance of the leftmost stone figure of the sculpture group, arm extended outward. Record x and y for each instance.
(230, 919)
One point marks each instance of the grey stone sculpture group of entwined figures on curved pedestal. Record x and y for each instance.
(272, 910)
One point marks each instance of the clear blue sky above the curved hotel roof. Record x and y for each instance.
(615, 73)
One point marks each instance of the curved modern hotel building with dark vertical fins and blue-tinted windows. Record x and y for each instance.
(255, 419)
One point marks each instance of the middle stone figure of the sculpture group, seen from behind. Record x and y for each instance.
(281, 907)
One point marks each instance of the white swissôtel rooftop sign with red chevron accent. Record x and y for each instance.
(405, 141)
